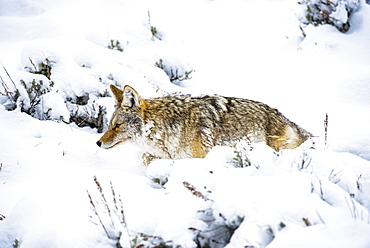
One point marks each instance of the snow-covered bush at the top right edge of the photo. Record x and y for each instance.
(333, 12)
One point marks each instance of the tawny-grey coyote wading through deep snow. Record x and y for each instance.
(181, 126)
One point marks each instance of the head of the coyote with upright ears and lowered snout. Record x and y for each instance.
(126, 123)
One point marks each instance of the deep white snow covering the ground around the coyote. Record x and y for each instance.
(252, 49)
